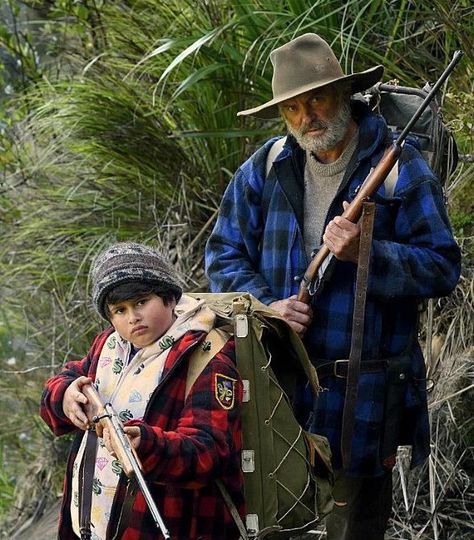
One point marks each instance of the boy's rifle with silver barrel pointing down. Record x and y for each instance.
(106, 417)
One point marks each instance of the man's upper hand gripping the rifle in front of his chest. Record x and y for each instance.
(342, 237)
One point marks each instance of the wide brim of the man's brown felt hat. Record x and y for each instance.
(359, 82)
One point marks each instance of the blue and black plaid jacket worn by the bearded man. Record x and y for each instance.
(257, 246)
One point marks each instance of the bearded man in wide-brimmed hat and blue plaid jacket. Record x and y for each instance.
(271, 223)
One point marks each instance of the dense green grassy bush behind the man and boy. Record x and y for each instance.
(118, 121)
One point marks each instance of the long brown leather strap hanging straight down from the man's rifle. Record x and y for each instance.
(354, 364)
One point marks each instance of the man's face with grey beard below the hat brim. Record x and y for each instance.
(318, 119)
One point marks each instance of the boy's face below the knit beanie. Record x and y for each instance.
(142, 320)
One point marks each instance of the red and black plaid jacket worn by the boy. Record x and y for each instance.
(184, 447)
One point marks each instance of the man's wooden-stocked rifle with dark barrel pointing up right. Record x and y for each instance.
(373, 181)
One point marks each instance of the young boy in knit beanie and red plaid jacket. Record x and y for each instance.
(140, 366)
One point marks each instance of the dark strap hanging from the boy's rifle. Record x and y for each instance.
(86, 477)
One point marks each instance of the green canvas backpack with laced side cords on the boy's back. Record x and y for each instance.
(287, 471)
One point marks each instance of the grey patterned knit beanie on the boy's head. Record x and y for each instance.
(125, 262)
